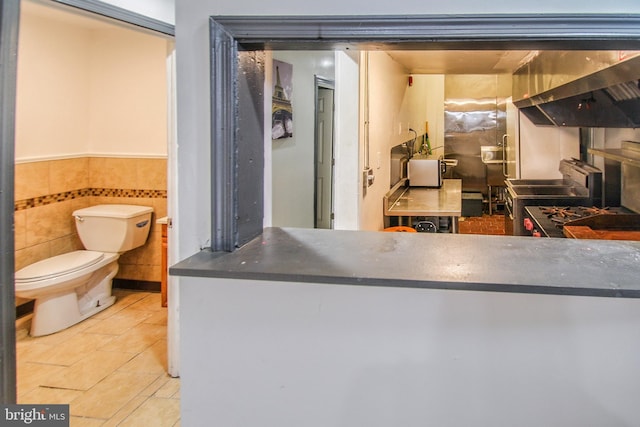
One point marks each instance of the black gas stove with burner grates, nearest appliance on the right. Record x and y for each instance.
(547, 221)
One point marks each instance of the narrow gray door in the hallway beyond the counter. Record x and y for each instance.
(324, 153)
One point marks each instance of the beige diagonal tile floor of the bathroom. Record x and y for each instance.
(110, 369)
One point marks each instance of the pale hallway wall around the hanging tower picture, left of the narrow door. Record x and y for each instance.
(292, 159)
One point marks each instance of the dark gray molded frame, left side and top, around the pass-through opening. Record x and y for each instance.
(233, 37)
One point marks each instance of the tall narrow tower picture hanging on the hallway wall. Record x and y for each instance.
(281, 111)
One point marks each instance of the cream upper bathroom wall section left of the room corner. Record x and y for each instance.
(52, 89)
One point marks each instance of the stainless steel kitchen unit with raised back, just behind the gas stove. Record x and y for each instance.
(581, 185)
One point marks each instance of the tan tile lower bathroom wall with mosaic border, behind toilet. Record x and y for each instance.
(47, 192)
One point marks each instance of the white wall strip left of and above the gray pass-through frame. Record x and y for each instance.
(192, 41)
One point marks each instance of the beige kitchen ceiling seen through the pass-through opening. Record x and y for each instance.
(461, 61)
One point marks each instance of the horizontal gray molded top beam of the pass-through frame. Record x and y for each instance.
(565, 31)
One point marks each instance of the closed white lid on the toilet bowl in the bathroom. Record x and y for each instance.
(57, 265)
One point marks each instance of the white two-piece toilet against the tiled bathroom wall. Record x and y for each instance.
(74, 286)
